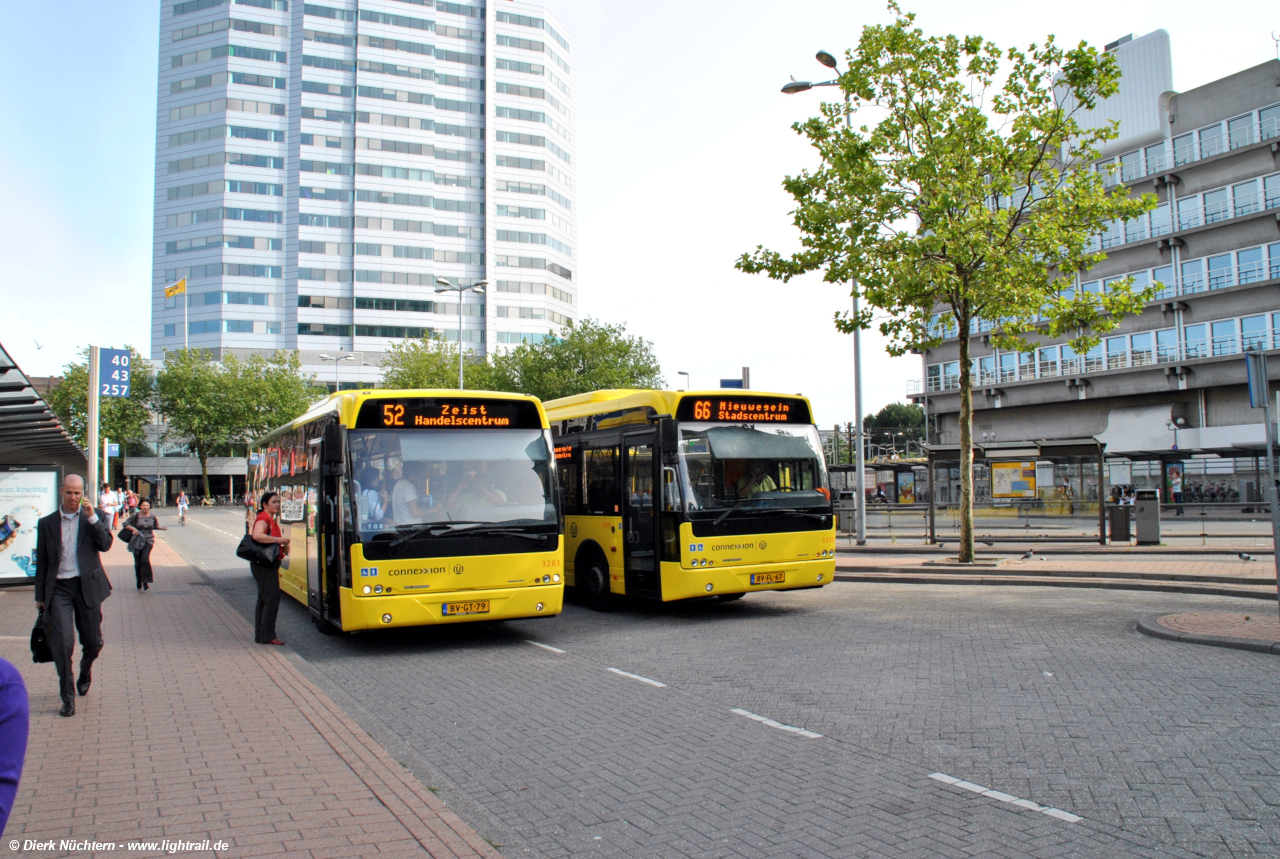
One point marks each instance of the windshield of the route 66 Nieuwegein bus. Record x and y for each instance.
(752, 468)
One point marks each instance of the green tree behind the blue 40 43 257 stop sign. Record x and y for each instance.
(121, 419)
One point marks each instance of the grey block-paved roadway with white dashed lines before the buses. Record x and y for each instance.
(1045, 696)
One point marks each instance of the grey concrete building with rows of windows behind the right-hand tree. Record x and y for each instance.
(1169, 386)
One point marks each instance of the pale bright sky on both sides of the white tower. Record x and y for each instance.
(683, 141)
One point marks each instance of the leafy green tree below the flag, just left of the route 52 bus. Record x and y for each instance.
(220, 406)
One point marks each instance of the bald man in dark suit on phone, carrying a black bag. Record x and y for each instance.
(71, 584)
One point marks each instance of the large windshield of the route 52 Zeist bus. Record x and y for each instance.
(405, 479)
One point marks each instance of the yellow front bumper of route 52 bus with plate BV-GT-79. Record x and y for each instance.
(429, 609)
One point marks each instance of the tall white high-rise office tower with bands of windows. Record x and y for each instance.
(321, 167)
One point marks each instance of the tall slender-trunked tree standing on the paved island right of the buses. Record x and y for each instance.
(964, 190)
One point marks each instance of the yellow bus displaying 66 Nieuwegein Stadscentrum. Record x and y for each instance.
(679, 495)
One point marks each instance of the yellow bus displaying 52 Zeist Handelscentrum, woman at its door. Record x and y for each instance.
(415, 508)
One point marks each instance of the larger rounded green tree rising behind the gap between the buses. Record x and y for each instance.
(587, 357)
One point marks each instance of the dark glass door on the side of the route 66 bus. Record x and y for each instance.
(641, 497)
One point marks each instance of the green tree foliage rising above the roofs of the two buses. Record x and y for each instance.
(587, 357)
